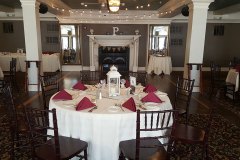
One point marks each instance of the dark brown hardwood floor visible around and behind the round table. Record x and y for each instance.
(199, 103)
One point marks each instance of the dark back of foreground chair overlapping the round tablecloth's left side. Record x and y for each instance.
(43, 126)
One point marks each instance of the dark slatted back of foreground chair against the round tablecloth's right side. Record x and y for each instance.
(160, 123)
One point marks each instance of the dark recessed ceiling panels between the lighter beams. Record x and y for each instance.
(129, 4)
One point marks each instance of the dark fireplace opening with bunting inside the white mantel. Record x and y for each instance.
(110, 55)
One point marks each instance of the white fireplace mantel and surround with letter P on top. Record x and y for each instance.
(114, 40)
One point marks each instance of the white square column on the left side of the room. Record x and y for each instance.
(31, 21)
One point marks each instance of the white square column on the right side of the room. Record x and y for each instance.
(198, 10)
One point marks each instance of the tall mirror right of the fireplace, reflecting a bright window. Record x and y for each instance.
(158, 38)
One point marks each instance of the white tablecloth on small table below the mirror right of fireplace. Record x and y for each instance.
(159, 65)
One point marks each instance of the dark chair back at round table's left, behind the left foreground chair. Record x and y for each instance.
(49, 86)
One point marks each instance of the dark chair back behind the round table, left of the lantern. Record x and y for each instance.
(90, 77)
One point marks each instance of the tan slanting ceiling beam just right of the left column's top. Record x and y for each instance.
(57, 7)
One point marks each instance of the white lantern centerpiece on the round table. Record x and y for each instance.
(113, 80)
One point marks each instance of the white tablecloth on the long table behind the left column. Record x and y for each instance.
(50, 63)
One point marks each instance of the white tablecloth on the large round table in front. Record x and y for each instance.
(102, 129)
